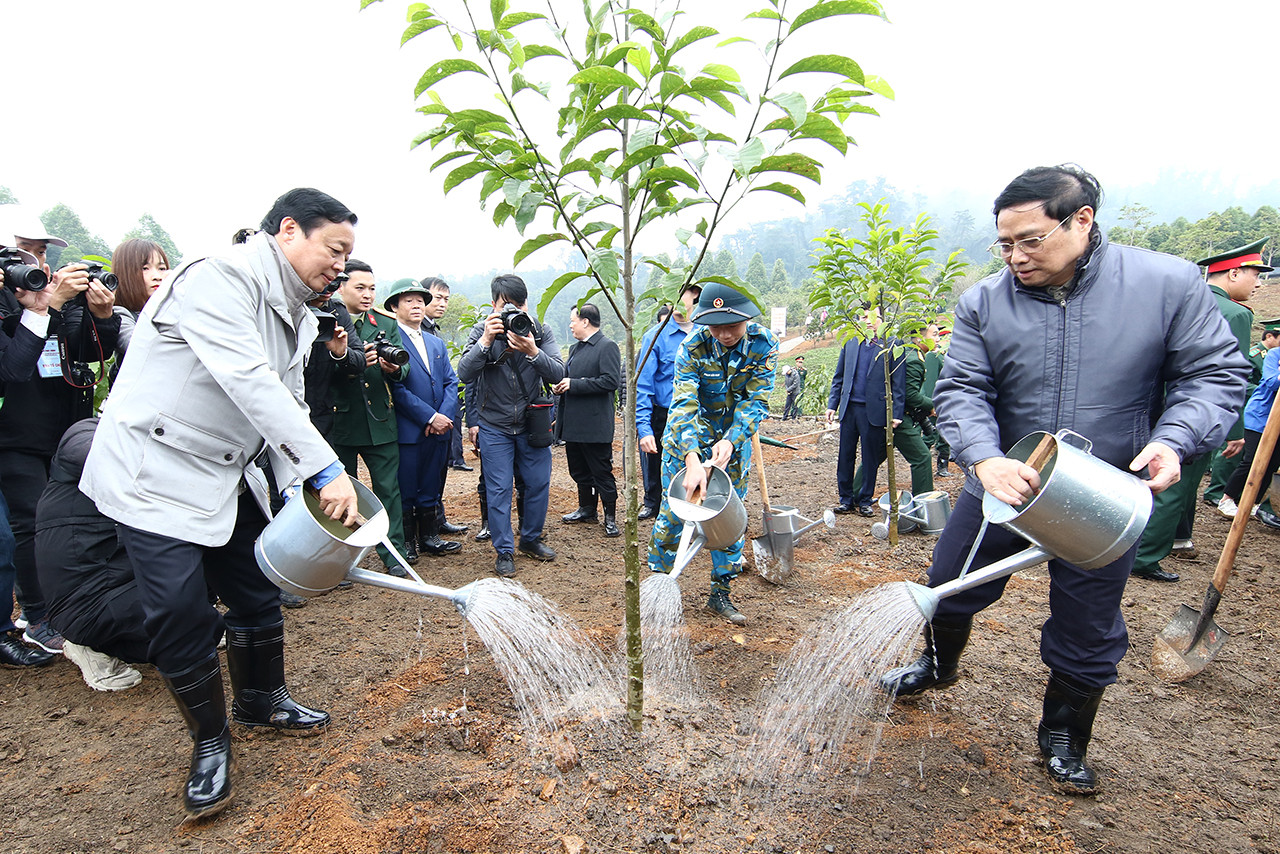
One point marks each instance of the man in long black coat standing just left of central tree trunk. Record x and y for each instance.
(593, 375)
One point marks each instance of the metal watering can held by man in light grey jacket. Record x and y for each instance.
(307, 554)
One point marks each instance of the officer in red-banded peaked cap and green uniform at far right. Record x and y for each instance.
(1233, 277)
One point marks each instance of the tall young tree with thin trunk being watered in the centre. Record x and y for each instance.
(651, 125)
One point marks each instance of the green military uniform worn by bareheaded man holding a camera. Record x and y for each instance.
(364, 426)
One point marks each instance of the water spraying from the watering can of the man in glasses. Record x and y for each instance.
(829, 691)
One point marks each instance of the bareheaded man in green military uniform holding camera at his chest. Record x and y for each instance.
(364, 419)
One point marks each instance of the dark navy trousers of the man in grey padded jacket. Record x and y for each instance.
(1085, 636)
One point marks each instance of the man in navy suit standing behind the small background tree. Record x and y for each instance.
(857, 401)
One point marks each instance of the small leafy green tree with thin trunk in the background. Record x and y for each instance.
(884, 286)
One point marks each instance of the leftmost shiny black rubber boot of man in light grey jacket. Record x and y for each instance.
(199, 693)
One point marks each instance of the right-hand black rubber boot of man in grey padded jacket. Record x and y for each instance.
(1066, 732)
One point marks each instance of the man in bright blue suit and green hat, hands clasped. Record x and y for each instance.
(427, 407)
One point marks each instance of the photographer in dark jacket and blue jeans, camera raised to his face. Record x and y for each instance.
(510, 358)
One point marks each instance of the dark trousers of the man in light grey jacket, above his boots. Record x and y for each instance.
(175, 579)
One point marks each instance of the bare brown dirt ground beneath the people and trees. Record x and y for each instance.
(427, 752)
